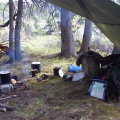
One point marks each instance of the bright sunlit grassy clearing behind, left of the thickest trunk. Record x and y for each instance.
(43, 45)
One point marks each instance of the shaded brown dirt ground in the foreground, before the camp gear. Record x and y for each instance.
(56, 99)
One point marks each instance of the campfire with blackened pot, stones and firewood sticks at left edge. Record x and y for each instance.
(7, 84)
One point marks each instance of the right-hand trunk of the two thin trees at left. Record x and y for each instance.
(17, 31)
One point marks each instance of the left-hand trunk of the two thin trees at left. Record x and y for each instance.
(11, 29)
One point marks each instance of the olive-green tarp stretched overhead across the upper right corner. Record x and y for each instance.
(105, 14)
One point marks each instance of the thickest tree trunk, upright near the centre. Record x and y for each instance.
(67, 42)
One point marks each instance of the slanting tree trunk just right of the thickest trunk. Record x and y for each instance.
(86, 43)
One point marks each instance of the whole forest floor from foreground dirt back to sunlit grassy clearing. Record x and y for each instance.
(52, 98)
